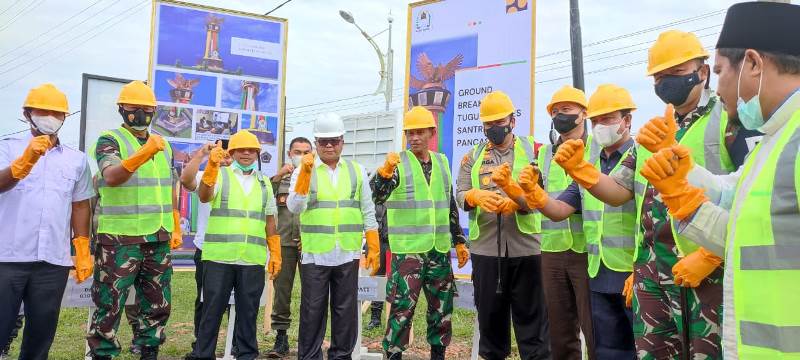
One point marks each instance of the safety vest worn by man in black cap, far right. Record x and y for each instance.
(766, 253)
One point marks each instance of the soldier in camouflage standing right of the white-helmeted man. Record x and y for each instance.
(422, 219)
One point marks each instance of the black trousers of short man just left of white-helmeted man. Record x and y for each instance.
(218, 280)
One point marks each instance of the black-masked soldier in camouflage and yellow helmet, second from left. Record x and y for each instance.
(137, 227)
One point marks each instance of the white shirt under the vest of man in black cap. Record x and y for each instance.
(710, 222)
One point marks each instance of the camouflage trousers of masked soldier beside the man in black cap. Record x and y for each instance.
(658, 323)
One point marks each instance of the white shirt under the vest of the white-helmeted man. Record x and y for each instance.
(297, 203)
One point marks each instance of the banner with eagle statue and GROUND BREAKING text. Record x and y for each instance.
(460, 50)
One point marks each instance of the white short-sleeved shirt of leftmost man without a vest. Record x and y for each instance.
(36, 212)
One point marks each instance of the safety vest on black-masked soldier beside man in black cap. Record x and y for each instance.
(706, 138)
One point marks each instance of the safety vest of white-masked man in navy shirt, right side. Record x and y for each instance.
(609, 230)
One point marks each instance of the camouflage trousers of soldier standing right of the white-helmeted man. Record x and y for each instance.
(412, 273)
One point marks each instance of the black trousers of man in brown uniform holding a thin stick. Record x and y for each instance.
(521, 302)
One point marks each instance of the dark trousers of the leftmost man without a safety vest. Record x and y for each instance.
(40, 286)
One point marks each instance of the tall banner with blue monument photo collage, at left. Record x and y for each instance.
(215, 72)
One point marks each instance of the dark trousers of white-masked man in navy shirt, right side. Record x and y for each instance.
(613, 327)
